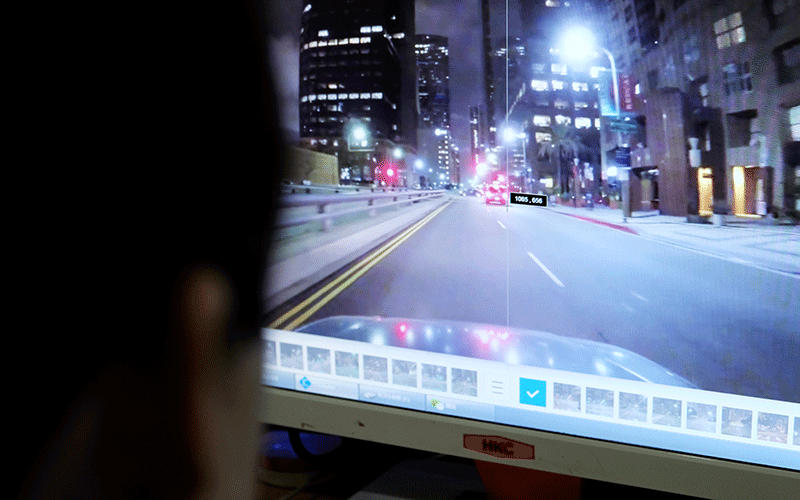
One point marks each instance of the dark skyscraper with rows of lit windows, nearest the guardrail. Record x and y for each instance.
(357, 65)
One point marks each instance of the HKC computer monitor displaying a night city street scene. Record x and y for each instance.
(578, 288)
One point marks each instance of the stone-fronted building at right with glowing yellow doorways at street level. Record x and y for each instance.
(720, 88)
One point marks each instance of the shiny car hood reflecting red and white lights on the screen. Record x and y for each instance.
(496, 343)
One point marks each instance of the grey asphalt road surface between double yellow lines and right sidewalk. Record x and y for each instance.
(725, 326)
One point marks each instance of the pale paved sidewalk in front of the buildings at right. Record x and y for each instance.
(772, 247)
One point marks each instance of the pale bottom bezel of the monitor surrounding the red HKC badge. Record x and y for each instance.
(563, 454)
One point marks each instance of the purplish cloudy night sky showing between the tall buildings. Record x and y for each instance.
(460, 21)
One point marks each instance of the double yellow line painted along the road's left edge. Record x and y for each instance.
(335, 287)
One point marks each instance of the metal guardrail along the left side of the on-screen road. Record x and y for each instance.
(324, 204)
